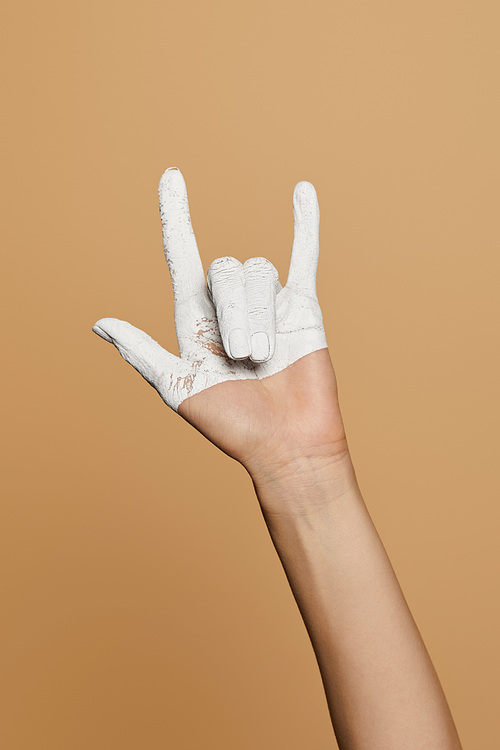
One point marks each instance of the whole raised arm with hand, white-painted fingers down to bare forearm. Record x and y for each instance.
(255, 377)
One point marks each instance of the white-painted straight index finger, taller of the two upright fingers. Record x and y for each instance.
(179, 242)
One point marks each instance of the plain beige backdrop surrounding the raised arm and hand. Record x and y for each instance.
(143, 605)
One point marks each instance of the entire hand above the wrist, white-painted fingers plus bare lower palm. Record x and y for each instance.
(254, 374)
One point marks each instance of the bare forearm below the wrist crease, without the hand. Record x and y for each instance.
(382, 690)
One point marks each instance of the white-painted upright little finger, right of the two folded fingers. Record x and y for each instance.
(305, 249)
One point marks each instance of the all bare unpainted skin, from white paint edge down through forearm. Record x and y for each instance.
(382, 690)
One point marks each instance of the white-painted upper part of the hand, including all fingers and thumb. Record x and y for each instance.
(239, 325)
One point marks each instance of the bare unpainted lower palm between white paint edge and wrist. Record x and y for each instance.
(291, 414)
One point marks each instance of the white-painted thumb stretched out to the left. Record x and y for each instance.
(145, 354)
